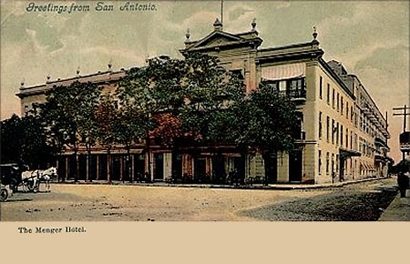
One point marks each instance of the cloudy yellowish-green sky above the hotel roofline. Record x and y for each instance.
(370, 38)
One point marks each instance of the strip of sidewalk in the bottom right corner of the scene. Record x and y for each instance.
(398, 210)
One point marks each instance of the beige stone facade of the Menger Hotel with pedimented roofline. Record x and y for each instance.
(343, 135)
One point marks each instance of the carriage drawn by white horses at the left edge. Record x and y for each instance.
(14, 175)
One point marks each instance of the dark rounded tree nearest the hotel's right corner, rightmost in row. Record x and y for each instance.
(267, 122)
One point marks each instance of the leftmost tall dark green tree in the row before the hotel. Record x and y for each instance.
(69, 115)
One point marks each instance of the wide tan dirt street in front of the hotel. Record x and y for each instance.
(95, 202)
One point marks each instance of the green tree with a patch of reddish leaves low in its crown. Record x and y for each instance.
(154, 92)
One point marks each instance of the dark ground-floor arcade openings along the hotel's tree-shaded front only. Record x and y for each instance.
(165, 166)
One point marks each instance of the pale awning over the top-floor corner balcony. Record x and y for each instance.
(283, 72)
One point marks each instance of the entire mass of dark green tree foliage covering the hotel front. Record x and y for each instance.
(193, 101)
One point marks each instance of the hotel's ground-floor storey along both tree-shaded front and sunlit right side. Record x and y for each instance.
(224, 168)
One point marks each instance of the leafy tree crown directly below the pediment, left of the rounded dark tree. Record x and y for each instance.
(209, 93)
